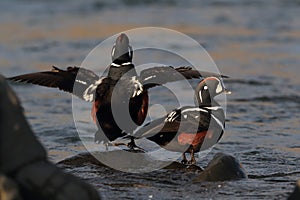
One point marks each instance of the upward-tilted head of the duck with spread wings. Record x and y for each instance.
(121, 51)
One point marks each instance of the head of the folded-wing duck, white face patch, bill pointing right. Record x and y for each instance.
(207, 89)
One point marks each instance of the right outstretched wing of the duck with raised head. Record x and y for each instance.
(160, 75)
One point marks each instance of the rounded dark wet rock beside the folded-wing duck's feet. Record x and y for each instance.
(222, 167)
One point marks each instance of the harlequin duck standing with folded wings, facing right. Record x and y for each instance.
(190, 129)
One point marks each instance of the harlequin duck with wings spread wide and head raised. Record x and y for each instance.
(90, 87)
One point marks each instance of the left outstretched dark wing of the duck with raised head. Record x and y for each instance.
(74, 80)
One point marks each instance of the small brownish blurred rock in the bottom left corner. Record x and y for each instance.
(8, 189)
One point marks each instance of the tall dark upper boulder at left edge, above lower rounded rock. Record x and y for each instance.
(16, 135)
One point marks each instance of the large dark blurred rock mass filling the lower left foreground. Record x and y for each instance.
(24, 160)
